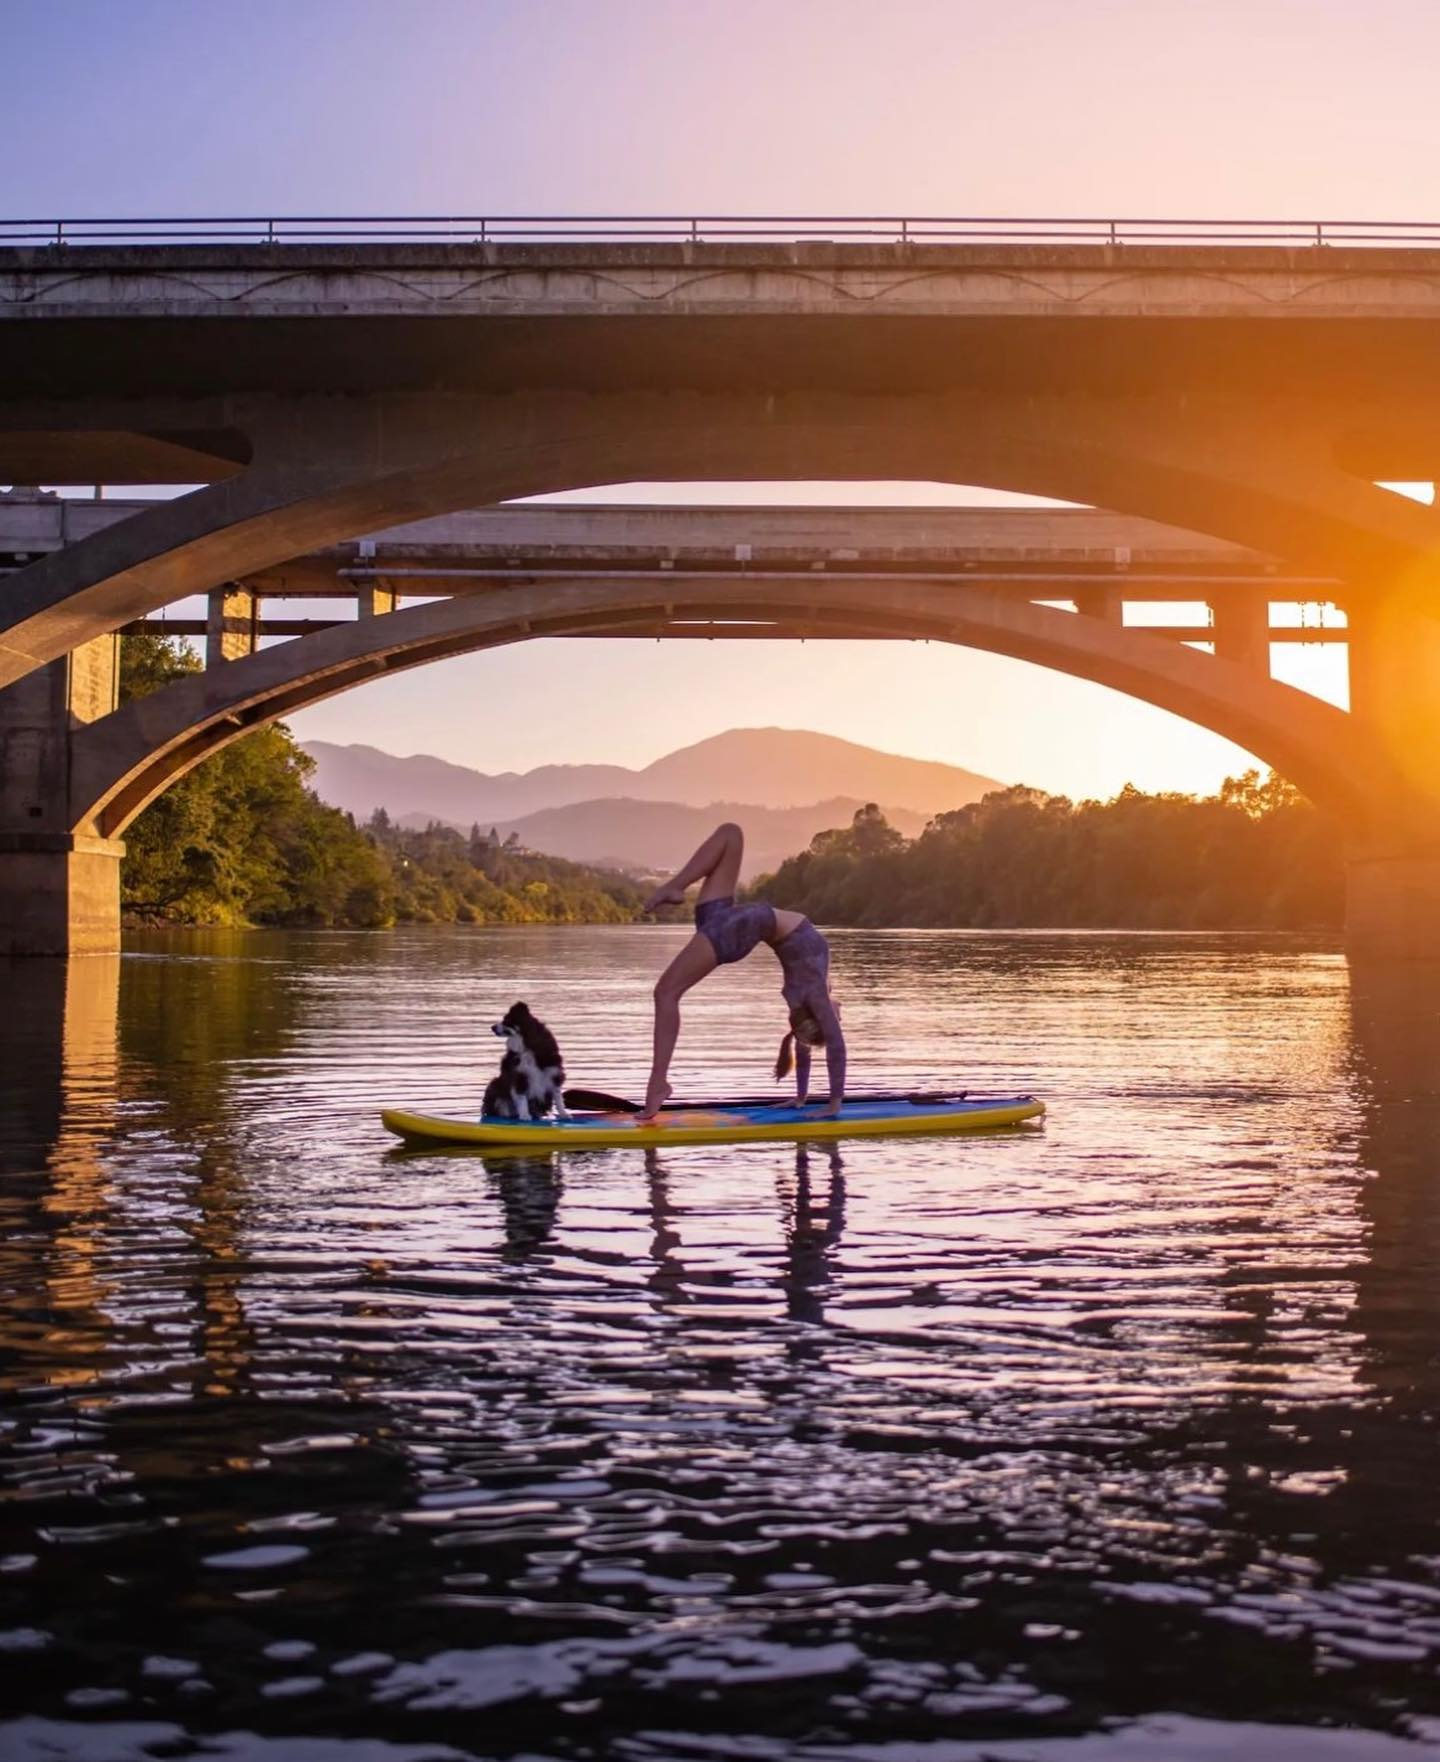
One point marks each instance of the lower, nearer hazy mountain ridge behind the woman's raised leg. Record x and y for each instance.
(660, 836)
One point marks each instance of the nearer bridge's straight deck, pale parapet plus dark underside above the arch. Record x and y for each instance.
(219, 320)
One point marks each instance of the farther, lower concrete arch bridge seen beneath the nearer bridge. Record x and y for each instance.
(1046, 586)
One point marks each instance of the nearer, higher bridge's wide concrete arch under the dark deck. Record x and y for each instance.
(315, 482)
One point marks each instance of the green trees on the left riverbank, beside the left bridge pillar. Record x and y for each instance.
(242, 840)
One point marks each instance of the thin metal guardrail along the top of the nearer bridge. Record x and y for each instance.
(711, 230)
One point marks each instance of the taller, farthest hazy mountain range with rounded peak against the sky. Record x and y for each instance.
(766, 767)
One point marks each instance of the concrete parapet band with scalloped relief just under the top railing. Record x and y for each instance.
(457, 281)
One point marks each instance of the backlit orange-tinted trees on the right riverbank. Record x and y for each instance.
(1256, 855)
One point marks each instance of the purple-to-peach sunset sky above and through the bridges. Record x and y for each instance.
(1238, 108)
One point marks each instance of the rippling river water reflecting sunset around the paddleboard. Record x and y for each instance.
(1106, 1439)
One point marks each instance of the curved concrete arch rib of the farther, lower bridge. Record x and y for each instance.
(122, 762)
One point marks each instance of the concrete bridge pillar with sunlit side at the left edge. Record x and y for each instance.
(59, 892)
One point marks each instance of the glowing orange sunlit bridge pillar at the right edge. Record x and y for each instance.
(1393, 882)
